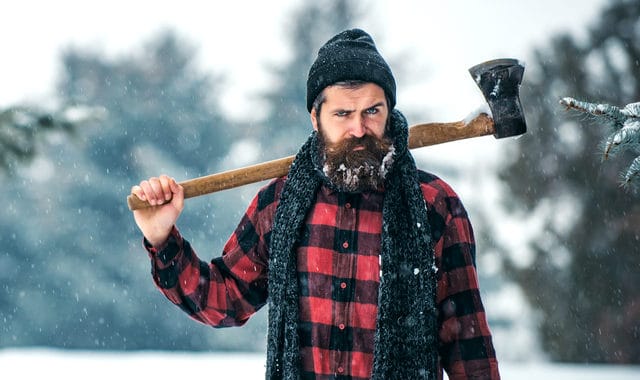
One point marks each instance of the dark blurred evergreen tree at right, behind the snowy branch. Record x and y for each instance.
(583, 276)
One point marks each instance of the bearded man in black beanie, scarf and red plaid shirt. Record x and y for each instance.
(367, 263)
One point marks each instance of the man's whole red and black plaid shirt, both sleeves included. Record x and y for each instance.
(338, 276)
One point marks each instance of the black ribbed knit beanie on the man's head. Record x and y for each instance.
(349, 55)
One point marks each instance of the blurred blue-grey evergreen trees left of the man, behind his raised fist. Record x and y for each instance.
(74, 272)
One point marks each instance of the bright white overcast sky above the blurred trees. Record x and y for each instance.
(441, 40)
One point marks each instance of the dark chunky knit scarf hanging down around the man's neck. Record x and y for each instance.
(405, 344)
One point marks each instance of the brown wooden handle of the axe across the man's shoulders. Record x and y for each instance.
(419, 135)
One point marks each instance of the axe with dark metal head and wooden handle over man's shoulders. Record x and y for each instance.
(499, 80)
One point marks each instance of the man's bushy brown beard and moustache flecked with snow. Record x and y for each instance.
(357, 170)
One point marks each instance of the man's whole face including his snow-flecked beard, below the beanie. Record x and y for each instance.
(351, 125)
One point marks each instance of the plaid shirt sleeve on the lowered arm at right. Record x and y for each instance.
(465, 342)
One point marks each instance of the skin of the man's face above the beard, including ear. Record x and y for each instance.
(352, 112)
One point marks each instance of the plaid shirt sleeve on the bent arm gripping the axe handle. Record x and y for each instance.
(228, 290)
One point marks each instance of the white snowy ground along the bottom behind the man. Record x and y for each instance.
(72, 365)
